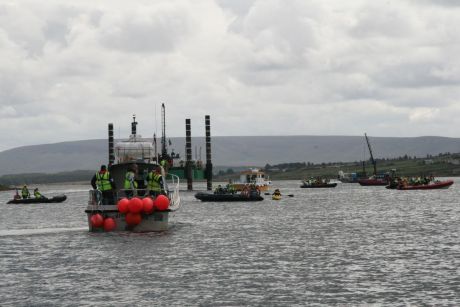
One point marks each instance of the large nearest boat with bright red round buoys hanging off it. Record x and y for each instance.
(138, 213)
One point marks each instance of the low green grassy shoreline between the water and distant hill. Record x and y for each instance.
(442, 165)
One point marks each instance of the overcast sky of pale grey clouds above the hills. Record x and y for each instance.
(257, 67)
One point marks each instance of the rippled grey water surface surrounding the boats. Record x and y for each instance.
(350, 245)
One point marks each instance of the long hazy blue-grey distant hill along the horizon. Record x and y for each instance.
(229, 151)
